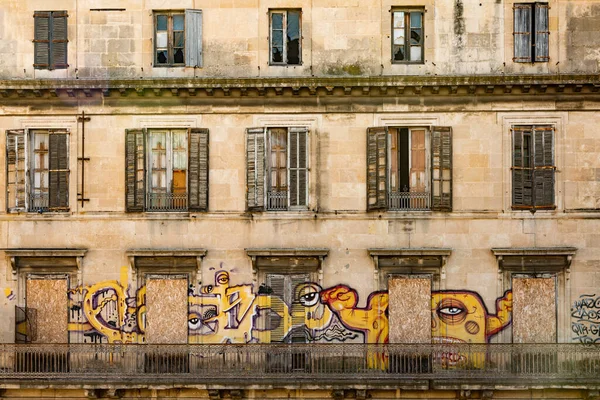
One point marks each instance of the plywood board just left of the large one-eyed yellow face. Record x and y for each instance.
(410, 310)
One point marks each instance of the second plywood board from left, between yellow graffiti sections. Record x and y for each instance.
(166, 311)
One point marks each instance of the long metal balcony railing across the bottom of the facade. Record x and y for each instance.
(251, 364)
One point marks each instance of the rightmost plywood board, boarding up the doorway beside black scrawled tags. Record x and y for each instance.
(534, 310)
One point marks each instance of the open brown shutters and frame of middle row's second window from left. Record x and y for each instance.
(138, 174)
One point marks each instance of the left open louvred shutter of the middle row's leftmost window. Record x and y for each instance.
(15, 169)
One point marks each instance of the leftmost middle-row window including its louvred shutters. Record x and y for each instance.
(37, 170)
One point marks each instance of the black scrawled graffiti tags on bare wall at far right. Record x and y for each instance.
(585, 319)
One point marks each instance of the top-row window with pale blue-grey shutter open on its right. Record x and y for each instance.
(178, 38)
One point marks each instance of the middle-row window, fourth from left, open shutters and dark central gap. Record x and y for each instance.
(409, 168)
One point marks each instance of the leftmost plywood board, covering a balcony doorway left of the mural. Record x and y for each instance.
(49, 298)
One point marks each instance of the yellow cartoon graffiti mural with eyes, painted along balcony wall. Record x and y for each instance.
(115, 312)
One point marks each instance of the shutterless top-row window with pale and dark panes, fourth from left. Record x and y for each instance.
(407, 36)
